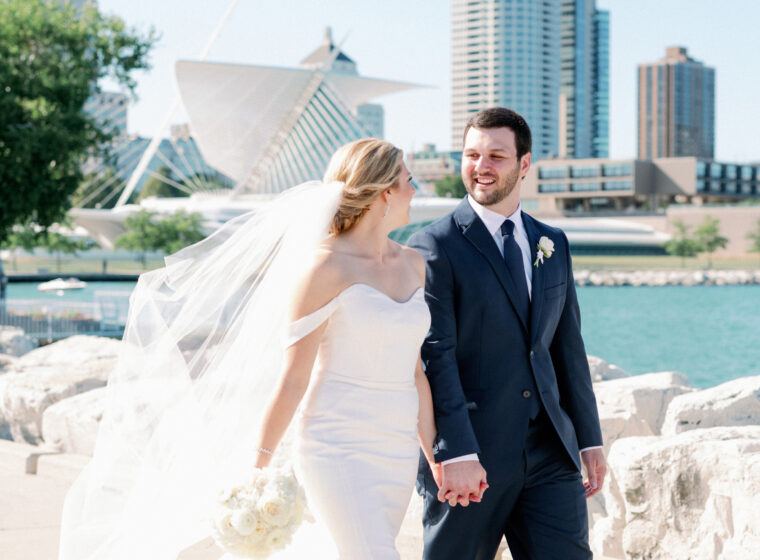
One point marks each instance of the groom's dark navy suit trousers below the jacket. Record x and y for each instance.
(540, 509)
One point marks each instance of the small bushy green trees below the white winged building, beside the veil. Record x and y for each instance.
(146, 231)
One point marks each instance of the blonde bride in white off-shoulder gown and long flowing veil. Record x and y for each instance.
(306, 304)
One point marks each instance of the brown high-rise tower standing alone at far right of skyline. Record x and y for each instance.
(676, 107)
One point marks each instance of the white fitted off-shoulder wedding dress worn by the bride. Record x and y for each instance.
(356, 445)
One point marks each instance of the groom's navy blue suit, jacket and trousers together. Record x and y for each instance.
(486, 364)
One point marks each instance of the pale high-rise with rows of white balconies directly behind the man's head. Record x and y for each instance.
(506, 53)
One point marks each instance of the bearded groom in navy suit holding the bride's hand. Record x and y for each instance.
(507, 367)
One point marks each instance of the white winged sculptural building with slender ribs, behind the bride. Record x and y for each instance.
(268, 129)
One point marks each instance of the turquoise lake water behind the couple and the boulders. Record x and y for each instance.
(710, 333)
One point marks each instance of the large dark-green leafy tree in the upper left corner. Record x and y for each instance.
(51, 59)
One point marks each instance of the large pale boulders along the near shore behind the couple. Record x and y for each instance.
(684, 464)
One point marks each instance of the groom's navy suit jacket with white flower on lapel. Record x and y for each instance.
(485, 362)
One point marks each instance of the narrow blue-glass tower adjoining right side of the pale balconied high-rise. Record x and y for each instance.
(584, 80)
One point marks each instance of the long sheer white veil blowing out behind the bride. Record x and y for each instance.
(201, 352)
